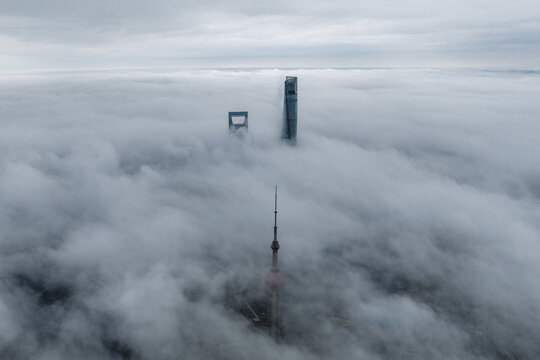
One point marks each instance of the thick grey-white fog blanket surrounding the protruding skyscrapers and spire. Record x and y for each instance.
(408, 215)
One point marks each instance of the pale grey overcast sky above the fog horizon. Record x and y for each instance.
(65, 34)
